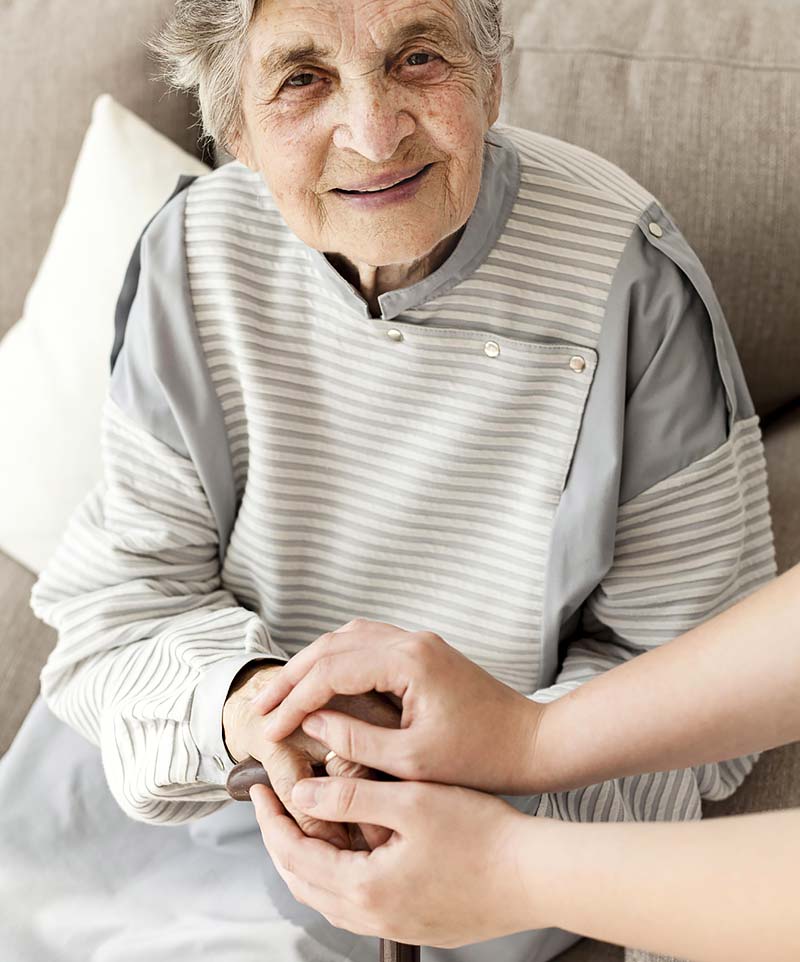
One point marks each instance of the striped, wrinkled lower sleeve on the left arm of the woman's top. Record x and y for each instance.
(134, 589)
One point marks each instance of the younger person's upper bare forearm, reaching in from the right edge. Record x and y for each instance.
(726, 688)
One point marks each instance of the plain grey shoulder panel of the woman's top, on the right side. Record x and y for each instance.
(655, 326)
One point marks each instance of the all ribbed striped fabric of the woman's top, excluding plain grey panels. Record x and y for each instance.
(409, 481)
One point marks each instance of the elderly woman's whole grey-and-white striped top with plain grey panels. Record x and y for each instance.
(544, 451)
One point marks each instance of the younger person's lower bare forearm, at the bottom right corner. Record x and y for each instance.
(721, 890)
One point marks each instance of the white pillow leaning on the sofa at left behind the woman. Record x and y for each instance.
(54, 362)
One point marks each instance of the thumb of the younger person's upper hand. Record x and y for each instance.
(358, 741)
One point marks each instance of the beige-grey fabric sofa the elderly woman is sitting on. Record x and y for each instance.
(699, 102)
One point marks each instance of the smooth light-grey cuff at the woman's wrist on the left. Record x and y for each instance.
(205, 719)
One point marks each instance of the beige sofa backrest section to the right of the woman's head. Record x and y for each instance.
(699, 100)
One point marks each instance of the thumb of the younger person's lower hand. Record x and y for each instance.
(391, 804)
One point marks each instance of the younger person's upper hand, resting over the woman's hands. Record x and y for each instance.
(460, 725)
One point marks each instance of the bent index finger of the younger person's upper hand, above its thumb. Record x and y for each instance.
(339, 673)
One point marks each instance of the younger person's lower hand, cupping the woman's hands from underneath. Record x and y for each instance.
(448, 875)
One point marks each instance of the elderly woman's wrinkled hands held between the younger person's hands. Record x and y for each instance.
(288, 759)
